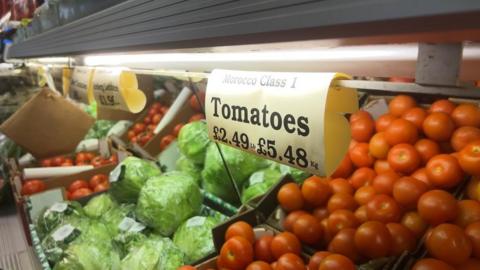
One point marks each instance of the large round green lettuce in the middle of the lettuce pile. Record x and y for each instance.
(167, 200)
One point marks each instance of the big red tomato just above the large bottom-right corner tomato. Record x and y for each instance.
(437, 206)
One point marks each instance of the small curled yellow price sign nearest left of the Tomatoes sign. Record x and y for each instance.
(118, 89)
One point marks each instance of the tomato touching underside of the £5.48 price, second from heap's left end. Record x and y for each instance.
(316, 191)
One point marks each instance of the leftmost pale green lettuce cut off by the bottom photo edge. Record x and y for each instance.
(89, 256)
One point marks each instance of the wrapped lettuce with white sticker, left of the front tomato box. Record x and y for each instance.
(194, 238)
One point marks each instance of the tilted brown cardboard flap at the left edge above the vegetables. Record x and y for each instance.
(48, 125)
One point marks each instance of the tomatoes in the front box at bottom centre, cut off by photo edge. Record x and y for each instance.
(282, 251)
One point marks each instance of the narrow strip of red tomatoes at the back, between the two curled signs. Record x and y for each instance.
(141, 133)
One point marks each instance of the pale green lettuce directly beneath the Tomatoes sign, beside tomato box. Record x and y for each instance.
(259, 183)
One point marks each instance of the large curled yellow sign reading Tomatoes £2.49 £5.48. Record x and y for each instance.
(292, 118)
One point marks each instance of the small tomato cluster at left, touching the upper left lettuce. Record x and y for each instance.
(81, 188)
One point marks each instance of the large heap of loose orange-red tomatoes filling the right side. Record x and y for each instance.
(392, 188)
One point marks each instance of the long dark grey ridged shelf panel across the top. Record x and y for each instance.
(167, 24)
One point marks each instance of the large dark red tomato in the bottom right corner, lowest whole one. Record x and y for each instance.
(449, 243)
